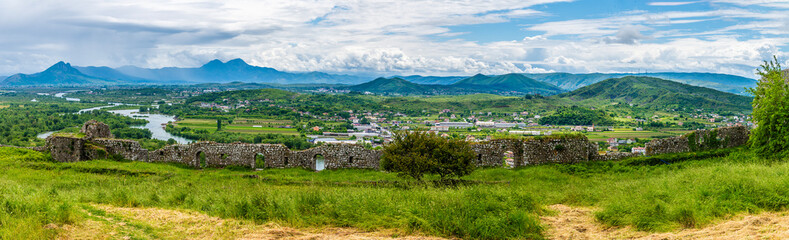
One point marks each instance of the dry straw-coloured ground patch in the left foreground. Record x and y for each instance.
(109, 222)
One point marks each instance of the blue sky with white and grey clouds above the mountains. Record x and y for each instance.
(399, 37)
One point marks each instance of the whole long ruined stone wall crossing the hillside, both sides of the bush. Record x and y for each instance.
(98, 143)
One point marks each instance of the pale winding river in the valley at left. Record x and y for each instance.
(156, 122)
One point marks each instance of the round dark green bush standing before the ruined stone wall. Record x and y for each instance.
(415, 154)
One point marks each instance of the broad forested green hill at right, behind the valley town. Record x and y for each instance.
(658, 93)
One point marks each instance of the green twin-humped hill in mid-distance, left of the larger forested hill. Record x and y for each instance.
(508, 83)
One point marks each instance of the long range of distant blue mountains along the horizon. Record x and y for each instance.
(236, 70)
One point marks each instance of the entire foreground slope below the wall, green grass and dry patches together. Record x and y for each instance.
(735, 196)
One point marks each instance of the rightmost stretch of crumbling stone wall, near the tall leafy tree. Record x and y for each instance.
(705, 139)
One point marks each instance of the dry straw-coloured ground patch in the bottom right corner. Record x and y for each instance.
(579, 223)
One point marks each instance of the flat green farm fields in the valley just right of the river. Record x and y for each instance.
(245, 126)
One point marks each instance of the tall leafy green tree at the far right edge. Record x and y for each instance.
(771, 111)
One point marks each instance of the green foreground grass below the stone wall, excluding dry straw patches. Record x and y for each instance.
(35, 193)
